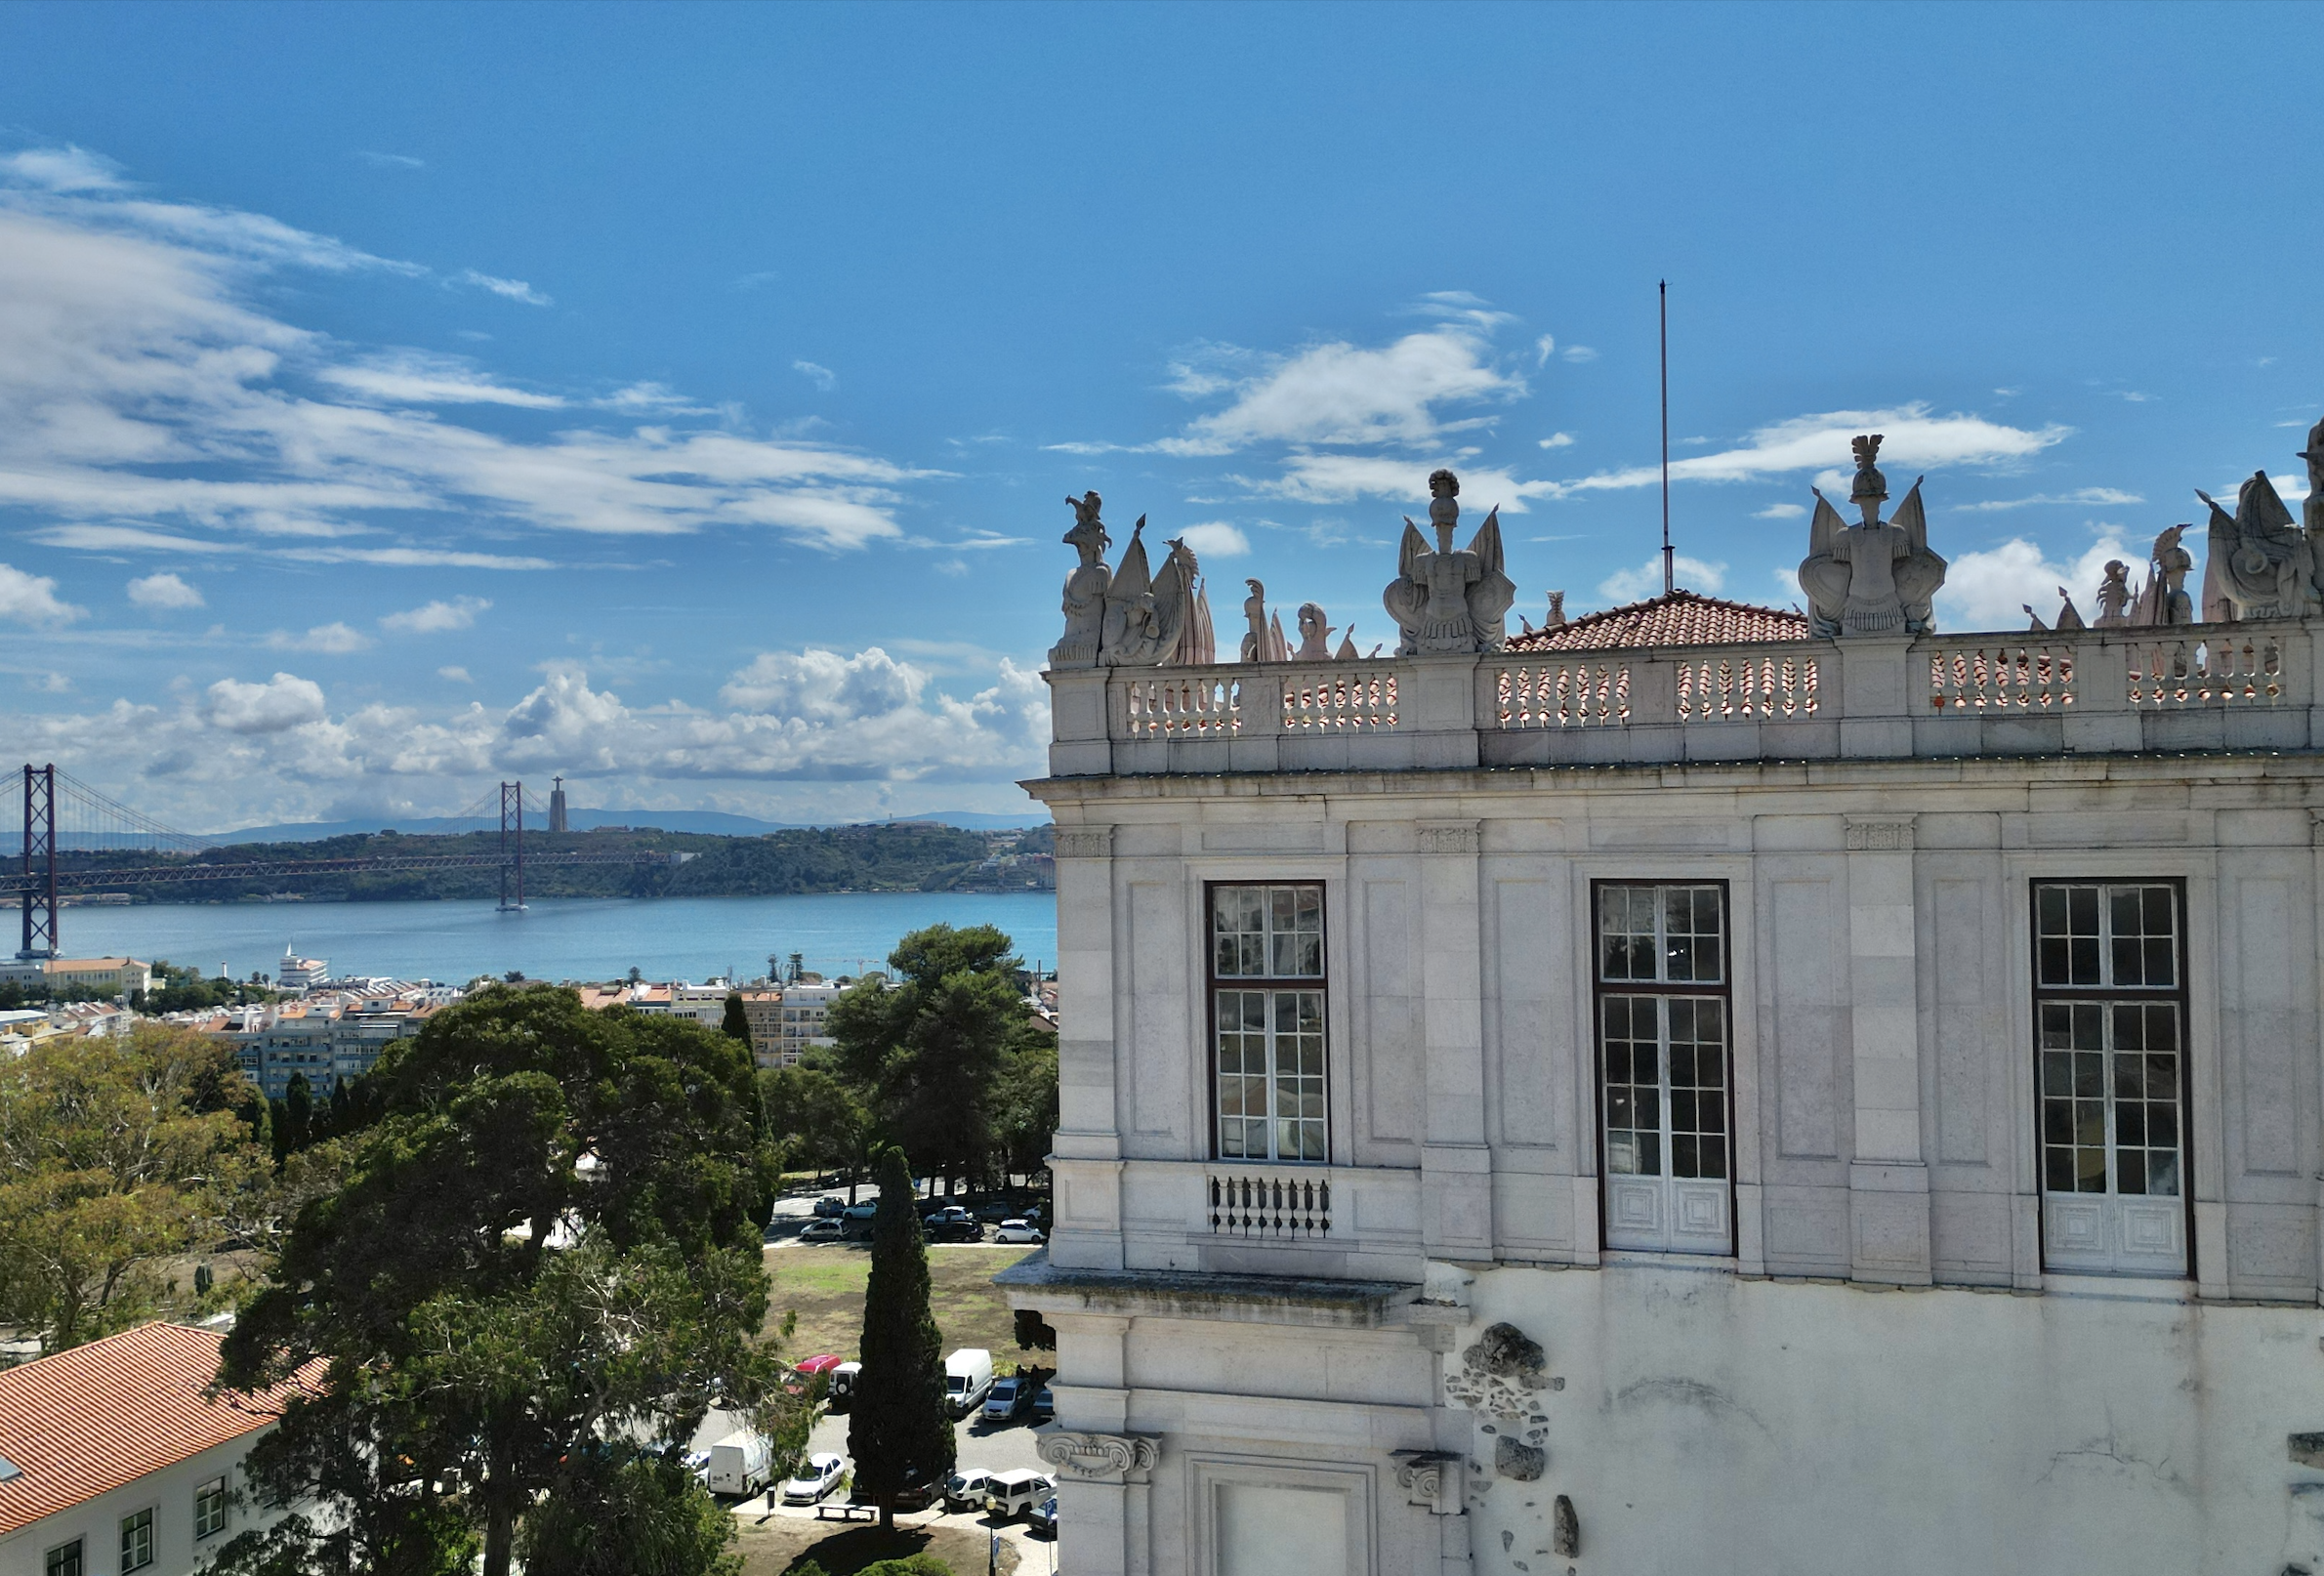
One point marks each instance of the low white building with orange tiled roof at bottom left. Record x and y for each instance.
(117, 1461)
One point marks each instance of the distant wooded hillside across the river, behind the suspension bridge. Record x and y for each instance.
(905, 857)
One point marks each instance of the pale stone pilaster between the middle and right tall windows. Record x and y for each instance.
(1888, 1182)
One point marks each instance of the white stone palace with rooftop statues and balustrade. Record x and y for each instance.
(1693, 1089)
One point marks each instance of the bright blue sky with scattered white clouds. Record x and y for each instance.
(684, 401)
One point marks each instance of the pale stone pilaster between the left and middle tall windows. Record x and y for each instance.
(1456, 1166)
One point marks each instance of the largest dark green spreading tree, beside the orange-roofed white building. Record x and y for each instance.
(543, 1245)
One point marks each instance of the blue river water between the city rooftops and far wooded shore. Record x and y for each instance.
(573, 938)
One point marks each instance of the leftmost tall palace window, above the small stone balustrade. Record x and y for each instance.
(1268, 989)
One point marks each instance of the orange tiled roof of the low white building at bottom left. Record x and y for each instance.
(99, 1417)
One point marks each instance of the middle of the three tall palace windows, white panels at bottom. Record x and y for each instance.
(1663, 1066)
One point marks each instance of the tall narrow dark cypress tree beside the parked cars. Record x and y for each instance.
(898, 1431)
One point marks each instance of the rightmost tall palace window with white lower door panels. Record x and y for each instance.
(2109, 1024)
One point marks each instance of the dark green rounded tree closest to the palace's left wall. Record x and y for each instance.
(931, 1047)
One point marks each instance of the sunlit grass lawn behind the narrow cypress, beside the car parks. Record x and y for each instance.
(826, 1287)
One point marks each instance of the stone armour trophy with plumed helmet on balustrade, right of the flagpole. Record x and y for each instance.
(1877, 578)
